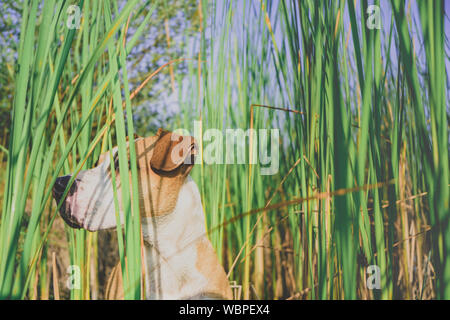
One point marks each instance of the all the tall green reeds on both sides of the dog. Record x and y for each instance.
(363, 177)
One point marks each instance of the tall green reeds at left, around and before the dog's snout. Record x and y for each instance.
(62, 89)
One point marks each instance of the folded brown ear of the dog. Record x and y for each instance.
(171, 151)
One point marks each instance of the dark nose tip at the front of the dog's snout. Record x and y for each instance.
(65, 209)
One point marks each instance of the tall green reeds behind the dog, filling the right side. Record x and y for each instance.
(355, 132)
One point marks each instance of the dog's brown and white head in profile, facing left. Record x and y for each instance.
(163, 163)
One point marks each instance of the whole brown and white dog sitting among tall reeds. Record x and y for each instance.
(180, 262)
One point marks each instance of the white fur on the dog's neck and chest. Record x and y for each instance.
(172, 252)
